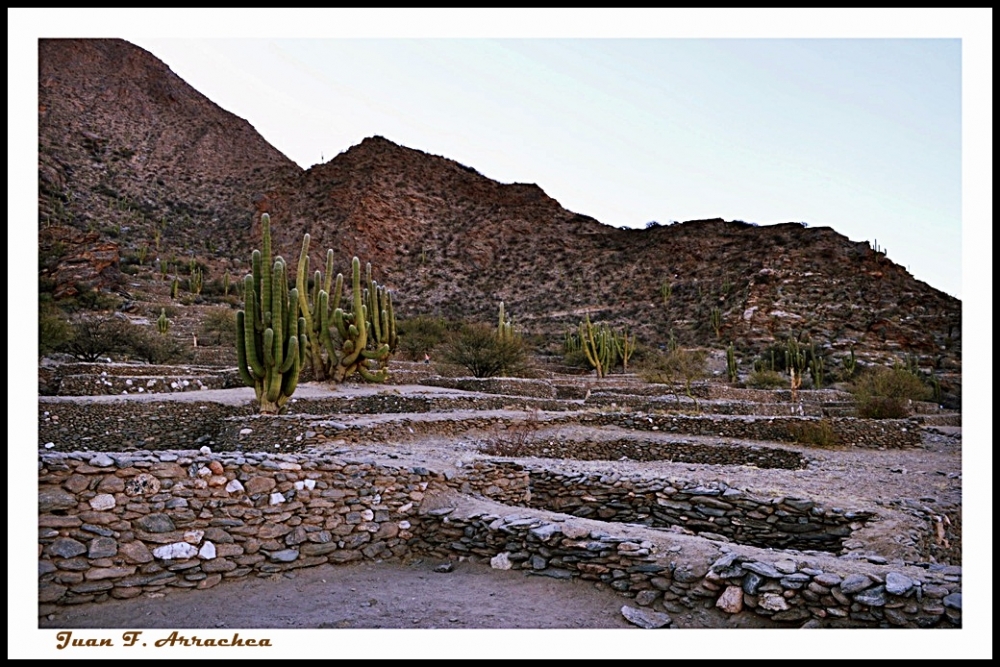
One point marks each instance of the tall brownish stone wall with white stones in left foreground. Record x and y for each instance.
(122, 525)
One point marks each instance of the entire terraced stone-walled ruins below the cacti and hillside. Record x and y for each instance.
(673, 510)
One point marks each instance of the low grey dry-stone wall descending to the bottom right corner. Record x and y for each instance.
(797, 592)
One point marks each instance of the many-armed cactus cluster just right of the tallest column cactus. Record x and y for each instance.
(359, 340)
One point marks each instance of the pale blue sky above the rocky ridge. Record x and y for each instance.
(862, 135)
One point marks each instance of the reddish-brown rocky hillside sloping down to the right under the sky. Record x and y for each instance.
(132, 157)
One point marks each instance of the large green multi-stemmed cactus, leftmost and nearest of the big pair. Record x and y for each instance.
(270, 339)
